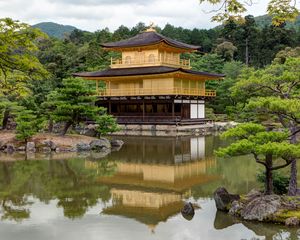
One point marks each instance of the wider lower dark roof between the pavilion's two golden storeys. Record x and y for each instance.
(115, 72)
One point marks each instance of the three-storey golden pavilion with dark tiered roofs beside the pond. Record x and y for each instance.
(151, 83)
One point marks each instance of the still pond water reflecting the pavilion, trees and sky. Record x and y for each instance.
(134, 193)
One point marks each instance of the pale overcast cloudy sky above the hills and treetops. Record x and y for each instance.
(92, 15)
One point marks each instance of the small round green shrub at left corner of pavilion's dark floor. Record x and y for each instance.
(106, 124)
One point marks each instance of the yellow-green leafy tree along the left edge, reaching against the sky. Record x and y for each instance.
(18, 63)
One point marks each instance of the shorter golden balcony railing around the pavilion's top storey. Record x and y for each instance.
(121, 63)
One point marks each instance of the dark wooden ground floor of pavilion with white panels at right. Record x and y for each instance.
(155, 111)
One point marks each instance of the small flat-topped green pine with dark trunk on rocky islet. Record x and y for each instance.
(268, 148)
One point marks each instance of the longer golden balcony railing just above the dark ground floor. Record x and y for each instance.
(156, 91)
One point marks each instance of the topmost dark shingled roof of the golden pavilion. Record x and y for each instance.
(149, 38)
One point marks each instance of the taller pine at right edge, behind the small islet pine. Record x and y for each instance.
(273, 94)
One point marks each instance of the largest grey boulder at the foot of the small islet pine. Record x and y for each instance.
(261, 208)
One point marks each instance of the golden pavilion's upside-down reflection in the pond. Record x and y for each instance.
(154, 178)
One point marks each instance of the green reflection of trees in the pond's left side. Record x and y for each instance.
(68, 181)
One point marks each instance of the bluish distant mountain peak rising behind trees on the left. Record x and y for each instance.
(55, 29)
